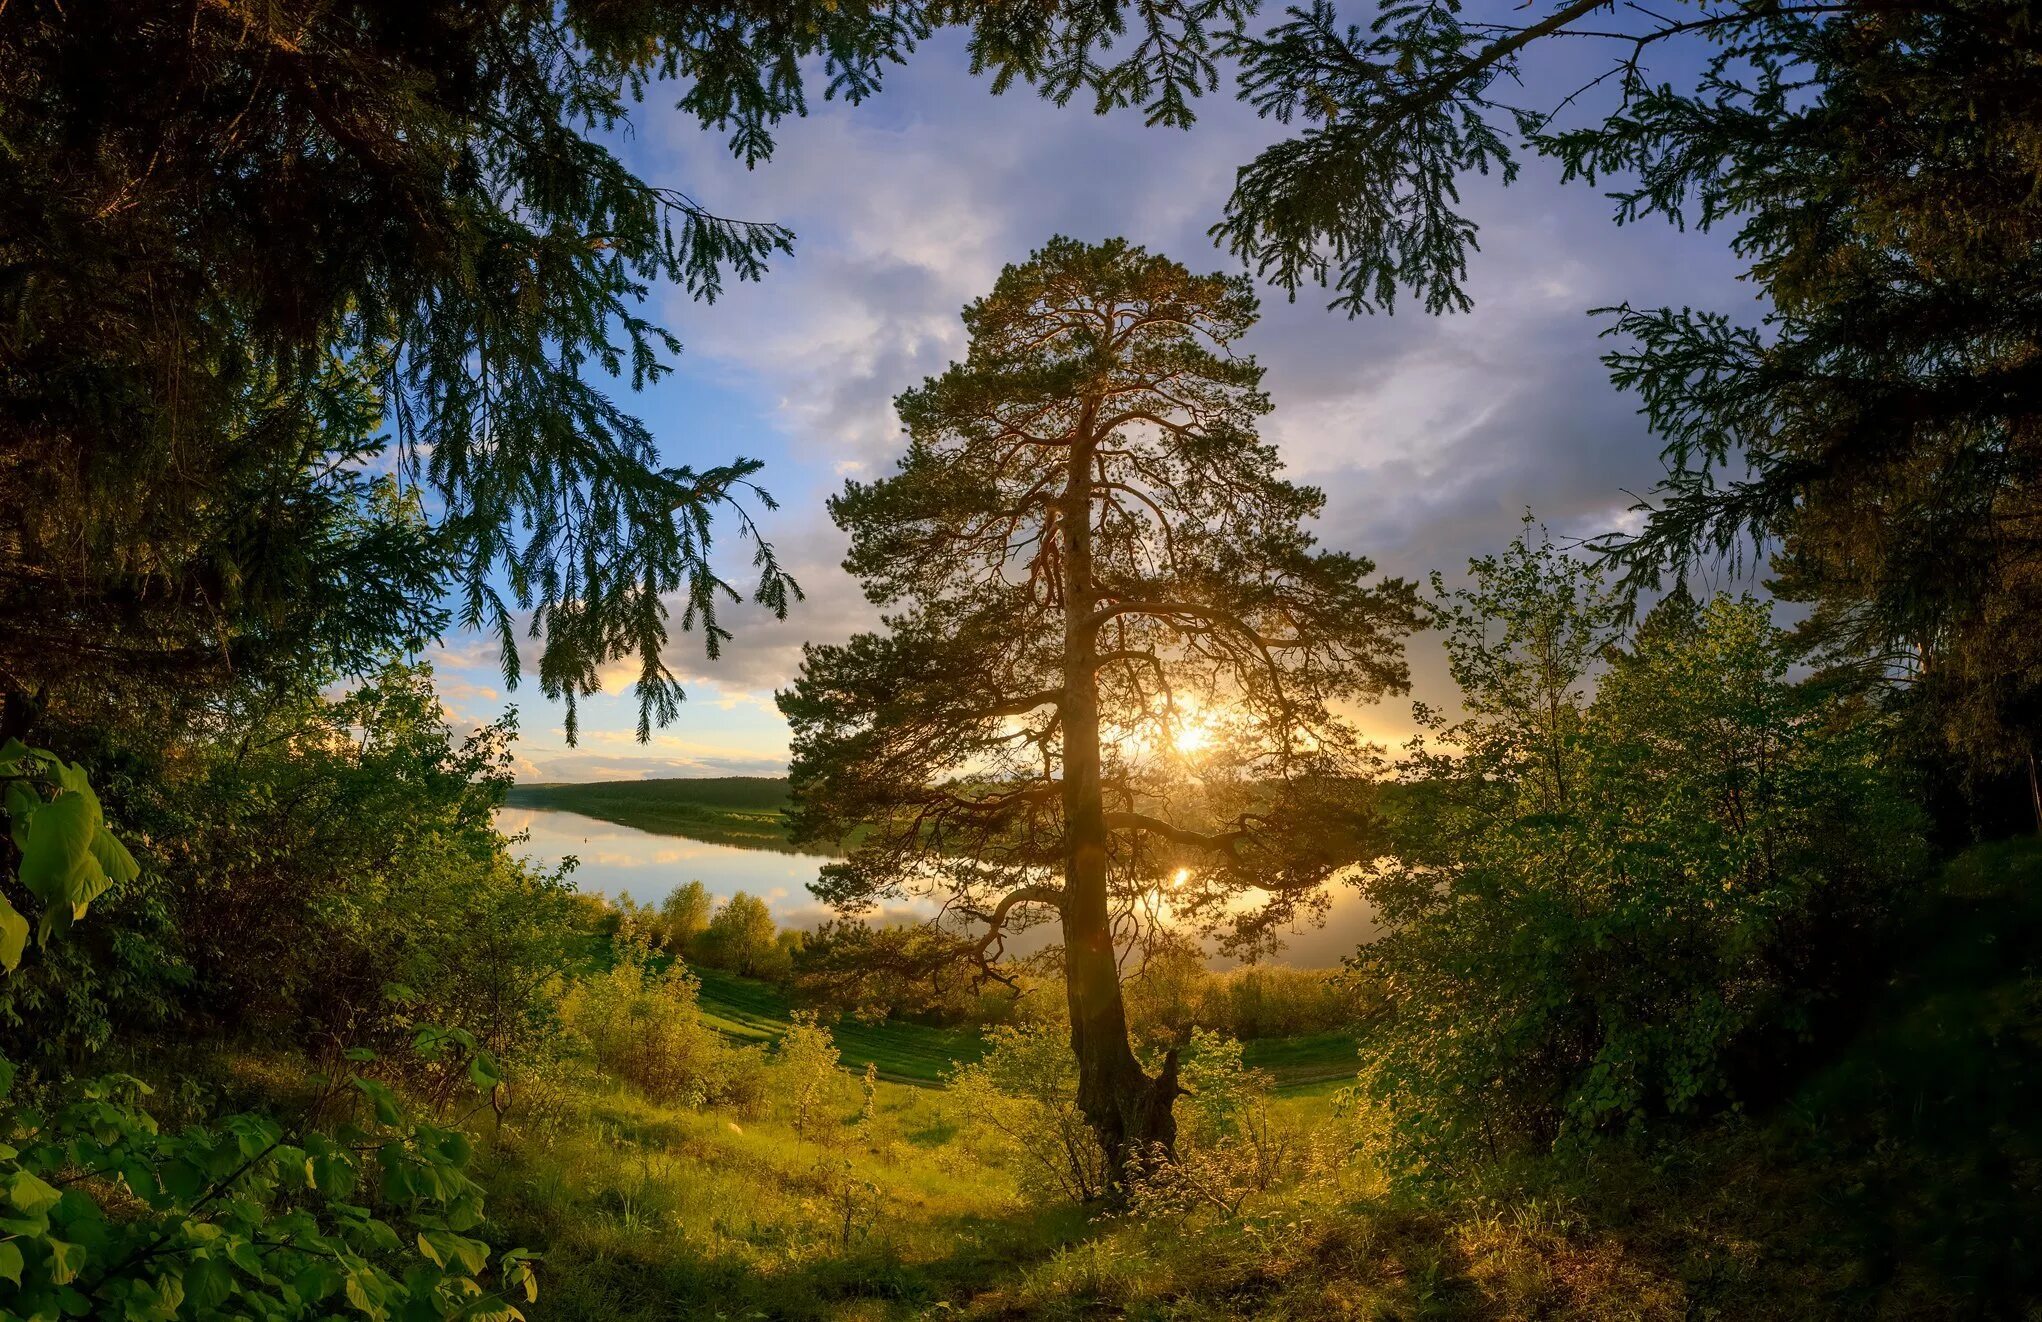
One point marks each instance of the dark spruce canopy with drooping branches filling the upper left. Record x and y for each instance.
(313, 242)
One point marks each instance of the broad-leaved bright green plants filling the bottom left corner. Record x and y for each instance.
(248, 1217)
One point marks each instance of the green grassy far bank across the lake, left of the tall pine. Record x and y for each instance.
(746, 812)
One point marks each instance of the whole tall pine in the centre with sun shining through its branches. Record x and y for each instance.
(1110, 675)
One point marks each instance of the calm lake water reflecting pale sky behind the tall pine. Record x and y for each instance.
(642, 865)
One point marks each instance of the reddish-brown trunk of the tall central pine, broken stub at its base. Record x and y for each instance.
(1130, 1113)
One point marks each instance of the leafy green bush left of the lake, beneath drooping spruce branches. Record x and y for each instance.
(320, 853)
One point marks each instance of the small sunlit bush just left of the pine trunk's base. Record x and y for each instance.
(1022, 1098)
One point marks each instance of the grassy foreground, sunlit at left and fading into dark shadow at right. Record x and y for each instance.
(1900, 1176)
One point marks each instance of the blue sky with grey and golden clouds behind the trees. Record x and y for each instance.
(1430, 436)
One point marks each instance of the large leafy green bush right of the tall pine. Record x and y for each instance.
(1612, 906)
